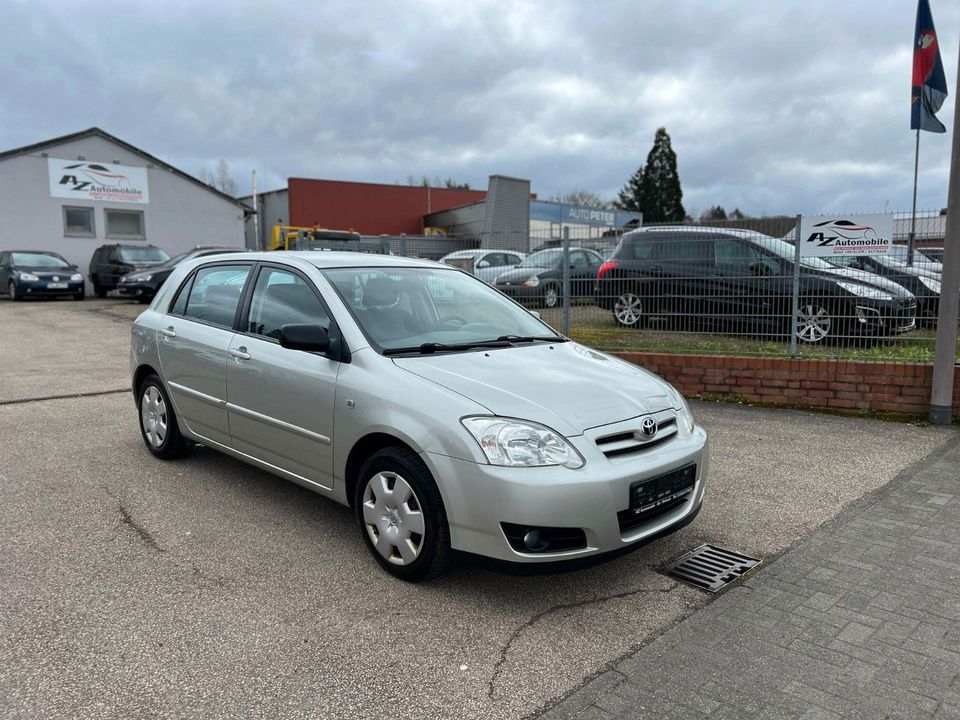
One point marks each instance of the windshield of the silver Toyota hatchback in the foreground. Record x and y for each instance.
(411, 307)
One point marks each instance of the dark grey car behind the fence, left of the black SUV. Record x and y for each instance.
(539, 277)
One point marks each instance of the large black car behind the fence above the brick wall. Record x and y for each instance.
(746, 278)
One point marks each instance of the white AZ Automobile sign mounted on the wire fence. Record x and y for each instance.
(827, 235)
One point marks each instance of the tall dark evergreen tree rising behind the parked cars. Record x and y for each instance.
(655, 189)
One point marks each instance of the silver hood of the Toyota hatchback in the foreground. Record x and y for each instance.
(565, 386)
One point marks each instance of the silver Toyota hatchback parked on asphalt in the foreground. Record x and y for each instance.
(446, 415)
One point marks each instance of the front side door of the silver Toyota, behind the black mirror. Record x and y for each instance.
(280, 401)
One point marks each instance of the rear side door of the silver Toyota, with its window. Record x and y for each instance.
(194, 338)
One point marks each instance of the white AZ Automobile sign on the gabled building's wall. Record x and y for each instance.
(81, 180)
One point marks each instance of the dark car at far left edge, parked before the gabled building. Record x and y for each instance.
(38, 273)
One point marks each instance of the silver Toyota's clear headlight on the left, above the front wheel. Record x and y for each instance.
(520, 443)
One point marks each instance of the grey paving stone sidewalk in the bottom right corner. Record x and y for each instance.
(862, 620)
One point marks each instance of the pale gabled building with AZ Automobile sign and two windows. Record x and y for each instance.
(74, 193)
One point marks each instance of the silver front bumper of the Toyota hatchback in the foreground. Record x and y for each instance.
(479, 497)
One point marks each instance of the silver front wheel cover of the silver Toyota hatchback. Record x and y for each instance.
(393, 518)
